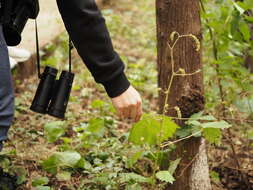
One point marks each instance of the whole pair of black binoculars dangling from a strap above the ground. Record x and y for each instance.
(52, 95)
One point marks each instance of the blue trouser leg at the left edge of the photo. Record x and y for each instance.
(6, 90)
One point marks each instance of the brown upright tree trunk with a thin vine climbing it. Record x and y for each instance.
(186, 92)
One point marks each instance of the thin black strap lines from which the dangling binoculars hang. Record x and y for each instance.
(38, 51)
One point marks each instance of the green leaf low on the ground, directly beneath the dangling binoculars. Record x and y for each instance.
(54, 130)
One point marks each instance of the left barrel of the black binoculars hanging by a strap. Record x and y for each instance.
(44, 91)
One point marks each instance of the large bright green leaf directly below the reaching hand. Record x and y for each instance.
(152, 130)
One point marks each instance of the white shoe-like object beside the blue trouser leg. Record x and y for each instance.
(20, 55)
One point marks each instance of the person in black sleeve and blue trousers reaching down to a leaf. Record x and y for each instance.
(87, 29)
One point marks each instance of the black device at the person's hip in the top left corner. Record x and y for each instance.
(17, 13)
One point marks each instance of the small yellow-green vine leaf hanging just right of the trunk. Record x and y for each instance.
(213, 135)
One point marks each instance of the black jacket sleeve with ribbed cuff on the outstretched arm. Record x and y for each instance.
(87, 29)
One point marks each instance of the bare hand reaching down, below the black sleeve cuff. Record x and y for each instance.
(128, 104)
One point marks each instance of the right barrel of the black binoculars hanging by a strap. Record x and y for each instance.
(58, 105)
